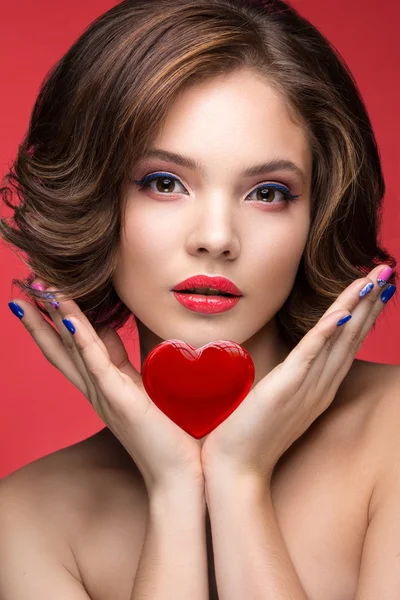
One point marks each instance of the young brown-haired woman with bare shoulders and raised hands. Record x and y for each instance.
(219, 138)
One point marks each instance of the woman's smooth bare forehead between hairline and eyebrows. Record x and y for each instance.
(237, 118)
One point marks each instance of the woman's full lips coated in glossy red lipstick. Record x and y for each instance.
(203, 303)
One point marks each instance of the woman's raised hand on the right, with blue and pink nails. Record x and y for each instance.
(283, 405)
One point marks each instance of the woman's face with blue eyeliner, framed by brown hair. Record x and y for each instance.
(213, 220)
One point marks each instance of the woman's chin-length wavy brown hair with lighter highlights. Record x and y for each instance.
(101, 106)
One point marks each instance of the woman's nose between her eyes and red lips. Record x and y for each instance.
(214, 230)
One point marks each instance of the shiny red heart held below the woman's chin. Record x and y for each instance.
(198, 388)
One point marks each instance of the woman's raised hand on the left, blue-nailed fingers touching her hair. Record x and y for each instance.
(98, 365)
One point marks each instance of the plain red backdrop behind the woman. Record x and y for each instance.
(40, 410)
